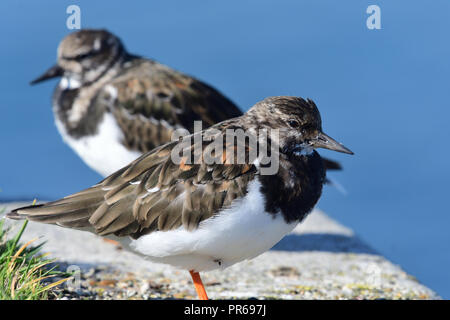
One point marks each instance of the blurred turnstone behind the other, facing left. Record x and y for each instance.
(111, 106)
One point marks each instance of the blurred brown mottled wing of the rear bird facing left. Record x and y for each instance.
(150, 100)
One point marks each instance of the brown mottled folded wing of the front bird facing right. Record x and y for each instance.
(152, 193)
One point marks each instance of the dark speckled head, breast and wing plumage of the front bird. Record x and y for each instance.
(155, 194)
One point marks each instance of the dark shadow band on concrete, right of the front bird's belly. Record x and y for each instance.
(323, 242)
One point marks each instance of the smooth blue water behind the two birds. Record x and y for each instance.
(384, 93)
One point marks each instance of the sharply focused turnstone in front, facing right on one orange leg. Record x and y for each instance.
(204, 201)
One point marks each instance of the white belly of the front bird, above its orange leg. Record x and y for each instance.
(240, 232)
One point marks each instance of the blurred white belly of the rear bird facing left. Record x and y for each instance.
(104, 151)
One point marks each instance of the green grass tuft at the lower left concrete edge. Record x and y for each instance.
(24, 272)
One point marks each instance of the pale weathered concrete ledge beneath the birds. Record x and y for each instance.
(320, 259)
